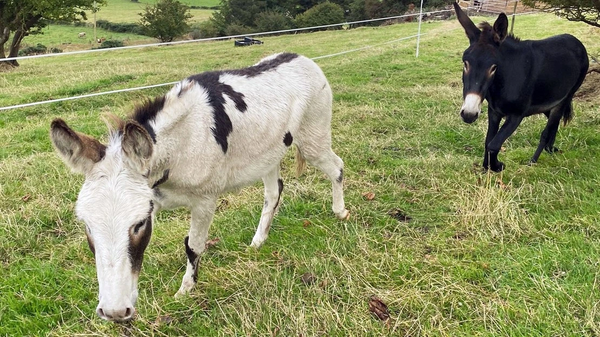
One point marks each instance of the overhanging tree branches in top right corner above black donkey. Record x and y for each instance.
(587, 11)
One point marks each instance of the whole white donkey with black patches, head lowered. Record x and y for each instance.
(212, 132)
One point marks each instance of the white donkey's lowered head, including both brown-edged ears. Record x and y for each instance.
(115, 203)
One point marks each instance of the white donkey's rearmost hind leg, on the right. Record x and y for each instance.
(320, 155)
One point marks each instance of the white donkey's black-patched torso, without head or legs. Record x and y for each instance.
(236, 124)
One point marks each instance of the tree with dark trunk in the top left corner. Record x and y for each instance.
(21, 18)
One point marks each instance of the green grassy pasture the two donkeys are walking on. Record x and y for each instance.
(451, 250)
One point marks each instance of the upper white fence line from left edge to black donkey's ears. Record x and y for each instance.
(218, 38)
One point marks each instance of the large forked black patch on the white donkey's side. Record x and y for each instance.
(216, 90)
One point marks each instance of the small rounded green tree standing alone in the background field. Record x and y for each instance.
(166, 20)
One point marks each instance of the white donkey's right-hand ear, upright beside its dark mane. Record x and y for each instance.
(137, 146)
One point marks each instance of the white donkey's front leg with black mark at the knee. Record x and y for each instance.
(195, 242)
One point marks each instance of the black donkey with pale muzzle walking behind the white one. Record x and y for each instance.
(518, 79)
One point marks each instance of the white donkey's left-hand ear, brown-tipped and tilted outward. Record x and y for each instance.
(80, 152)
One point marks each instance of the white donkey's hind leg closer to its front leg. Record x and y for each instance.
(273, 187)
